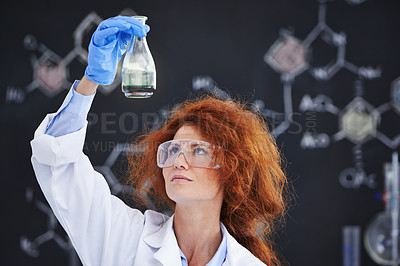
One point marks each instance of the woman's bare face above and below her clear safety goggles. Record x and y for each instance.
(186, 184)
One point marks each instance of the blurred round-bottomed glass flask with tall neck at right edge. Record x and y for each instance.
(381, 237)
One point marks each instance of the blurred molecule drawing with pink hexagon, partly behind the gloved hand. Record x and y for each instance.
(51, 71)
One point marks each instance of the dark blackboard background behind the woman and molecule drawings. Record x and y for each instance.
(226, 40)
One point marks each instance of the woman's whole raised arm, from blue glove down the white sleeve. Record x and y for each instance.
(103, 230)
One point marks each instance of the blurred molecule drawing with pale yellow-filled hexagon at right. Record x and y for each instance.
(358, 123)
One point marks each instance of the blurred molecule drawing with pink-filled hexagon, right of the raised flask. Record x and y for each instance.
(289, 56)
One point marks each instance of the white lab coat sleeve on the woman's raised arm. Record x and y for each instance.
(103, 230)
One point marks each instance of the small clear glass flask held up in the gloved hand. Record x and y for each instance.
(138, 68)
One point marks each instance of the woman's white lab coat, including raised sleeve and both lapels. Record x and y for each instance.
(103, 230)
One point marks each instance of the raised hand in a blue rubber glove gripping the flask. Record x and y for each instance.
(107, 45)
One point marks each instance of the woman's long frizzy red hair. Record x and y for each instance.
(251, 173)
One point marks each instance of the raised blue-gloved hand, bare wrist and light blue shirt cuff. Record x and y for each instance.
(106, 47)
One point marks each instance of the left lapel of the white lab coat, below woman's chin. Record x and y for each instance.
(165, 241)
